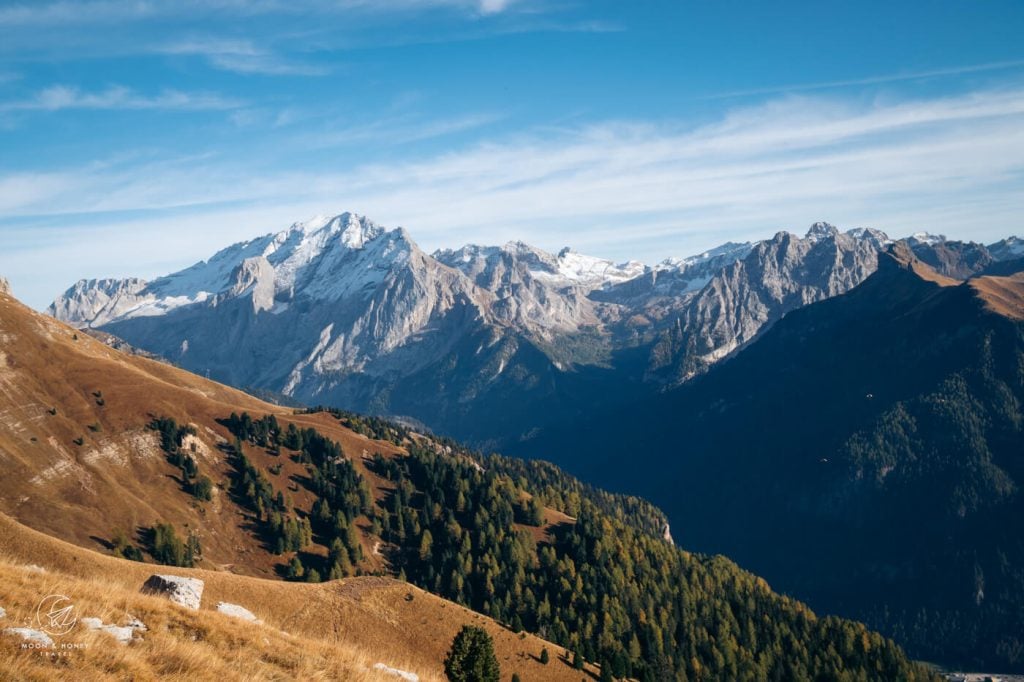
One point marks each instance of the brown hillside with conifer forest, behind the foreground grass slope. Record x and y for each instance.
(142, 460)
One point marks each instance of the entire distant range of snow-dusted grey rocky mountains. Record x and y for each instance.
(485, 344)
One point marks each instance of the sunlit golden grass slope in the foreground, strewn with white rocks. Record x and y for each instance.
(335, 630)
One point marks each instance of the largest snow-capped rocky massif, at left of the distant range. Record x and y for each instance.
(296, 311)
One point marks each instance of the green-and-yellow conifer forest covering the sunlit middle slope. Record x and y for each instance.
(533, 548)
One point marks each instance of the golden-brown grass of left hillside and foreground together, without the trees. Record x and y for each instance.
(78, 463)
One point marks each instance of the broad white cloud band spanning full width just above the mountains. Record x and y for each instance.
(951, 165)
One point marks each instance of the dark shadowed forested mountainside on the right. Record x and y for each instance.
(864, 455)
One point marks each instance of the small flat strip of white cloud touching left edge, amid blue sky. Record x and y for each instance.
(60, 98)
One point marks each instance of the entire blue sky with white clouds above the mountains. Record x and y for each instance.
(140, 137)
